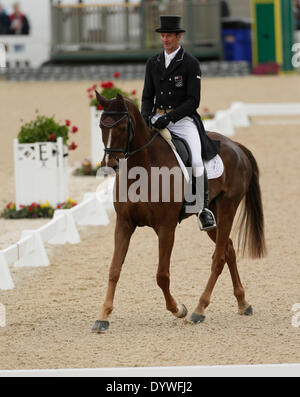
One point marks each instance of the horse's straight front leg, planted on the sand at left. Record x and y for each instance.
(123, 233)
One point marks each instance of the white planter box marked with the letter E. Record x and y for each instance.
(41, 172)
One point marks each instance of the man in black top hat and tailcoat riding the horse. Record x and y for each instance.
(171, 96)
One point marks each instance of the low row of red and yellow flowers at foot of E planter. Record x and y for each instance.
(34, 210)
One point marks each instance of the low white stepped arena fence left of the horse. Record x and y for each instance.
(30, 249)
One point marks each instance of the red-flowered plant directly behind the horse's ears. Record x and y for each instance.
(109, 90)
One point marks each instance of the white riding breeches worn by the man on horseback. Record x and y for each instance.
(187, 129)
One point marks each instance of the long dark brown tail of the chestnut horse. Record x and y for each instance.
(251, 227)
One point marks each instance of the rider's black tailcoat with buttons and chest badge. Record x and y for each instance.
(177, 87)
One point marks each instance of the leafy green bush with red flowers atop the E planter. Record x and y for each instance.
(46, 129)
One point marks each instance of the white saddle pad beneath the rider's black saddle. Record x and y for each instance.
(214, 167)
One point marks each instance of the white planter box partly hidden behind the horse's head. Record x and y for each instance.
(97, 147)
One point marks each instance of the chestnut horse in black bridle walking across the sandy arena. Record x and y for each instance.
(126, 136)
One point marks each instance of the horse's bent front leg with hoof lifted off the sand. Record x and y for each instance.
(166, 242)
